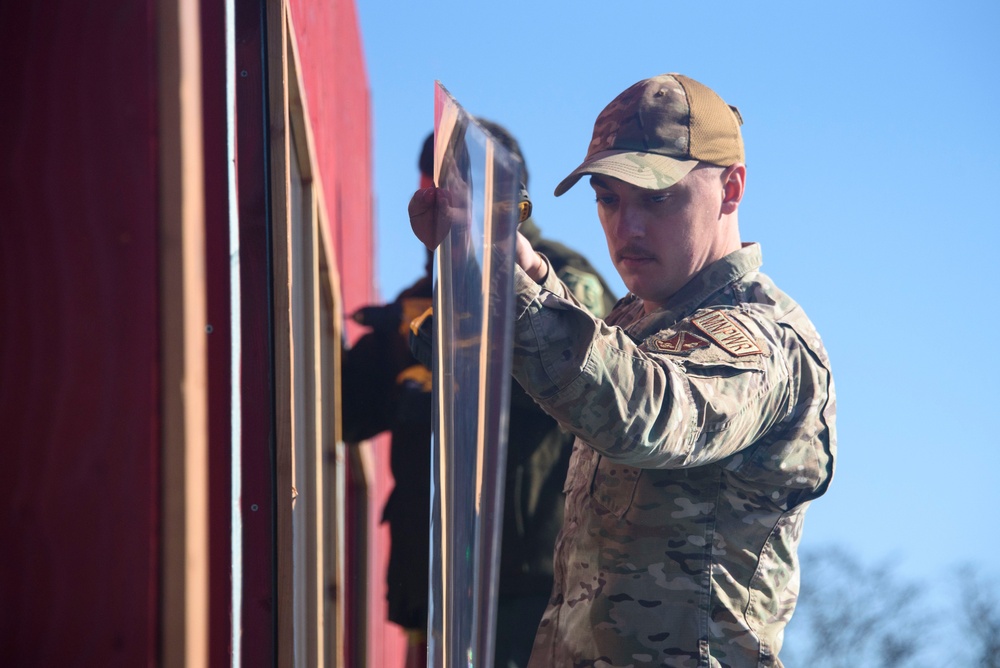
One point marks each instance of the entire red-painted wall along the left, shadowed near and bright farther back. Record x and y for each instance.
(79, 337)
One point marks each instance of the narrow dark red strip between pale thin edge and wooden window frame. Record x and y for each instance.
(257, 504)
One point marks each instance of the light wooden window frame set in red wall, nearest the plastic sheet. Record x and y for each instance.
(311, 619)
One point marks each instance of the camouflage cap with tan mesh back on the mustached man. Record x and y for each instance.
(657, 130)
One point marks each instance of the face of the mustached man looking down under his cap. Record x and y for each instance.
(659, 239)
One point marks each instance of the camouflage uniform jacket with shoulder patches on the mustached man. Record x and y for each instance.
(703, 430)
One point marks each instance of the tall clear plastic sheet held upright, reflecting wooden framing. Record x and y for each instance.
(473, 312)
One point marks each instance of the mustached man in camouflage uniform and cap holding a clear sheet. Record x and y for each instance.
(703, 404)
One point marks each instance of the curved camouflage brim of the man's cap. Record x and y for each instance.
(643, 170)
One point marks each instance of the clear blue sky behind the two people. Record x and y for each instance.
(873, 154)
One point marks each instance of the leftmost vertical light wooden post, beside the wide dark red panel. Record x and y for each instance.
(183, 380)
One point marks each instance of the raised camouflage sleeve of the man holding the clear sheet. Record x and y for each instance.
(634, 404)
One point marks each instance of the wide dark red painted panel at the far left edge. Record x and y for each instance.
(79, 337)
